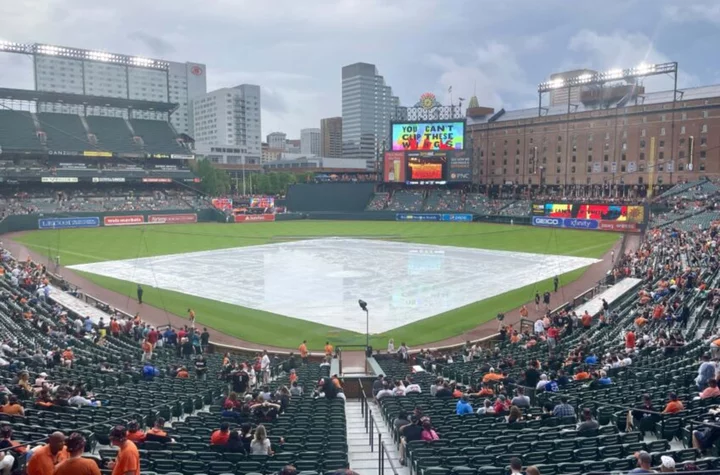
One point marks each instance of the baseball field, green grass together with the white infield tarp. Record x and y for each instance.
(135, 245)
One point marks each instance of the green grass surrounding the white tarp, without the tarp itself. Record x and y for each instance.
(78, 246)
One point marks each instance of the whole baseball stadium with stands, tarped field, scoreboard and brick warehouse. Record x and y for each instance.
(491, 296)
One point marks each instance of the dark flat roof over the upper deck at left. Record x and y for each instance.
(100, 101)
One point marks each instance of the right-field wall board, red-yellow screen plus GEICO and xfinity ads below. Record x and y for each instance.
(602, 217)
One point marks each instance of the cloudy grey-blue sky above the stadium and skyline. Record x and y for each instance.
(295, 49)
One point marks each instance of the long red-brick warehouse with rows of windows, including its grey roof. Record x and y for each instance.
(644, 140)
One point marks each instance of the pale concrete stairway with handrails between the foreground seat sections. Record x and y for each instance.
(361, 456)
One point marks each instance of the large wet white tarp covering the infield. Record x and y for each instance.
(321, 280)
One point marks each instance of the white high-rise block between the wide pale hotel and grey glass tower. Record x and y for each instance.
(229, 116)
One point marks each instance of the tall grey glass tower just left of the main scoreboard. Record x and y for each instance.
(368, 106)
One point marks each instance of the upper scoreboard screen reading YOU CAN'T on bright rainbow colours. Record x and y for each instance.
(447, 135)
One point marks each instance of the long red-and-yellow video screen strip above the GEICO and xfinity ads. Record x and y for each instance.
(598, 212)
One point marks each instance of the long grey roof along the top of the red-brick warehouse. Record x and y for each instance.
(688, 94)
